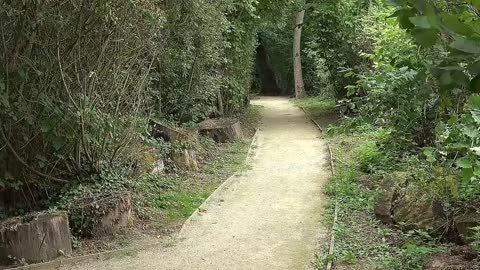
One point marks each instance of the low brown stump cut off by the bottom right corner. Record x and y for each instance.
(459, 258)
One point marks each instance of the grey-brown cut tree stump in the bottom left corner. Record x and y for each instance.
(43, 237)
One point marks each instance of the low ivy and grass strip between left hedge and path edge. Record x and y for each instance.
(161, 201)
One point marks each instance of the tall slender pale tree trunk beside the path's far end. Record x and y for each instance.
(297, 60)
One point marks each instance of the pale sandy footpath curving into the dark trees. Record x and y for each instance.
(266, 218)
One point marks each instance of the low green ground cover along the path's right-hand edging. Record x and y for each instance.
(363, 156)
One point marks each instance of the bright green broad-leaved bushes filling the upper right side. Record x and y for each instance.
(418, 86)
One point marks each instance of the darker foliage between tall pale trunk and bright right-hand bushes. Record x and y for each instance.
(330, 44)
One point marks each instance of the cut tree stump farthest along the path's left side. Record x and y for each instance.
(221, 130)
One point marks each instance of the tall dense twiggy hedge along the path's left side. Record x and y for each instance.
(80, 80)
